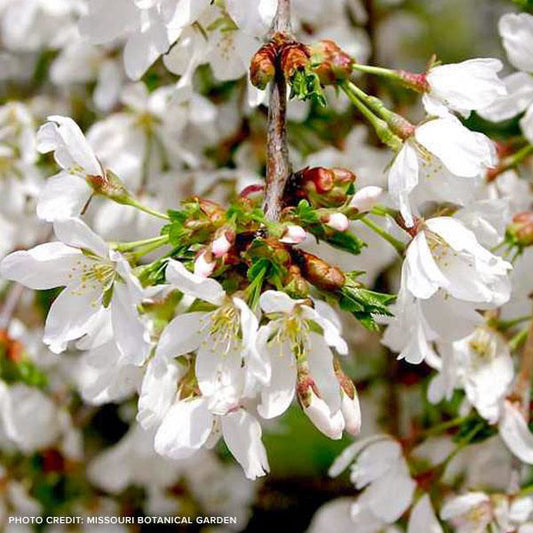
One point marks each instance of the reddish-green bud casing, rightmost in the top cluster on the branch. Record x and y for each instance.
(331, 64)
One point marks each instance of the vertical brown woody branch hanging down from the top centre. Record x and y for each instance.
(278, 164)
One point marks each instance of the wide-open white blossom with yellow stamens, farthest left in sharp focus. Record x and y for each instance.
(97, 281)
